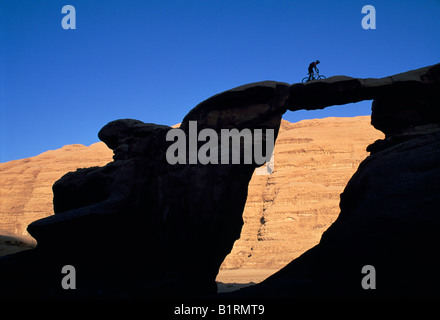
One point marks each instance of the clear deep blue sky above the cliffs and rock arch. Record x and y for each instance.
(155, 60)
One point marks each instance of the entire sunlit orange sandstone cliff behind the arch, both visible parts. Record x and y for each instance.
(285, 214)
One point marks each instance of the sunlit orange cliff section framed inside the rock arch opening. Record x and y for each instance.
(287, 212)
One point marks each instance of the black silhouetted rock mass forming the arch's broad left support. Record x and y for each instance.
(187, 217)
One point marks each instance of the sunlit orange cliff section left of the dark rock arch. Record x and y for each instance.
(26, 184)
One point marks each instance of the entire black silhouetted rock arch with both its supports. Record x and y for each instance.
(189, 215)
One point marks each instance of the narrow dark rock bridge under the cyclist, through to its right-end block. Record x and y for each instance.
(400, 94)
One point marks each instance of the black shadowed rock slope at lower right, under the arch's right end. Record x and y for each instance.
(388, 219)
